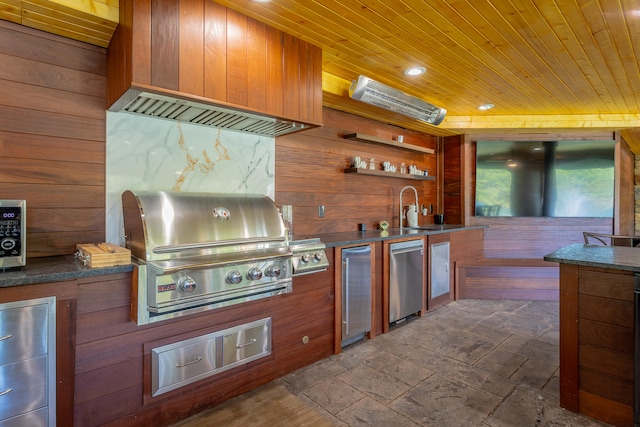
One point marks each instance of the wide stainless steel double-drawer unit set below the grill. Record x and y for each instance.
(185, 362)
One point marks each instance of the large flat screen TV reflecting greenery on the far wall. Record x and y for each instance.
(544, 178)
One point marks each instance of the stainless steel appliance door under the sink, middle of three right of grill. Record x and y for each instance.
(406, 279)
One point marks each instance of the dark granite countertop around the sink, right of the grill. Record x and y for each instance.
(376, 235)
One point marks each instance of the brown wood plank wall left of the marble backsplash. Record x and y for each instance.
(52, 136)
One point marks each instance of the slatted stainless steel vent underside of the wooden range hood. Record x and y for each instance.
(164, 107)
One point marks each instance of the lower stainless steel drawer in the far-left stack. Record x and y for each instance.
(23, 386)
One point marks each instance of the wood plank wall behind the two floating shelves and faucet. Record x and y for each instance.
(310, 172)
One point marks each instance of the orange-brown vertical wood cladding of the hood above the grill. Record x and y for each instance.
(204, 50)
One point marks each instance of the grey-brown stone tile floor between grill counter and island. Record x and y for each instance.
(470, 363)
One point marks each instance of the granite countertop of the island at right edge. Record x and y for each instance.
(612, 257)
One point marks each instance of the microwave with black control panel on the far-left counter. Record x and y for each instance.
(12, 233)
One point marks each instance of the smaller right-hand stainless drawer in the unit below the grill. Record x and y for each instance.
(246, 343)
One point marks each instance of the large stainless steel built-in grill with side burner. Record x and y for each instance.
(198, 251)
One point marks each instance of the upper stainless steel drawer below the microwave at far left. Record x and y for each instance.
(23, 332)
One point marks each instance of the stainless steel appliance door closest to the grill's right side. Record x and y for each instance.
(356, 293)
